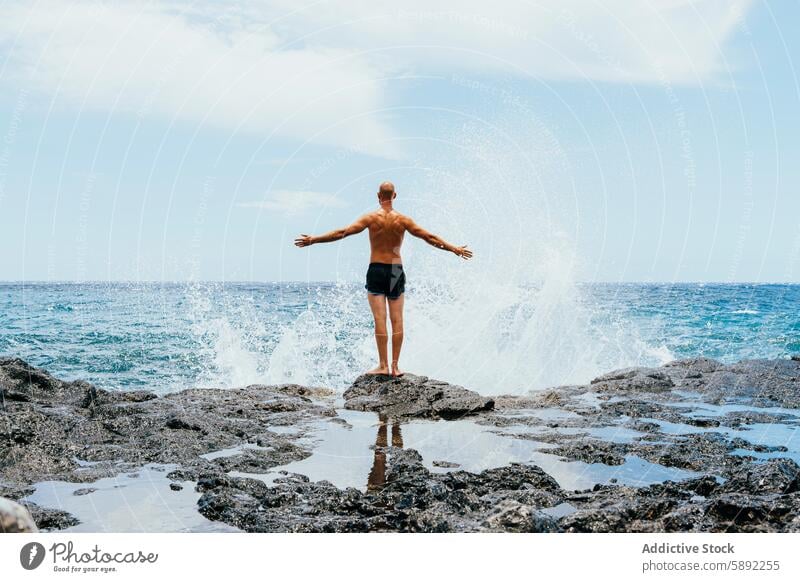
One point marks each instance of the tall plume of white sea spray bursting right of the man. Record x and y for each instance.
(513, 319)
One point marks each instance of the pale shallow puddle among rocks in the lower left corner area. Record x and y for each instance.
(128, 504)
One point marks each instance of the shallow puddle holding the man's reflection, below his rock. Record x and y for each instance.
(346, 455)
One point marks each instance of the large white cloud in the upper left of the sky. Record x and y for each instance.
(147, 59)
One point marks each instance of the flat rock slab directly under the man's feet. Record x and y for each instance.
(413, 396)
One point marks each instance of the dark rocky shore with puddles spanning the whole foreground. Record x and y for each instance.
(695, 445)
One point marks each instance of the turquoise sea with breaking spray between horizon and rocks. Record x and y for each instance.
(166, 337)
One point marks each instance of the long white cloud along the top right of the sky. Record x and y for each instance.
(604, 40)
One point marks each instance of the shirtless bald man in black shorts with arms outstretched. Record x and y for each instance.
(385, 277)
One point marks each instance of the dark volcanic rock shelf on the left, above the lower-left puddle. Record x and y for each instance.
(72, 431)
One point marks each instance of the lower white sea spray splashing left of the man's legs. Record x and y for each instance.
(311, 335)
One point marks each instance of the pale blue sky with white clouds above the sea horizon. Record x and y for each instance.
(177, 140)
